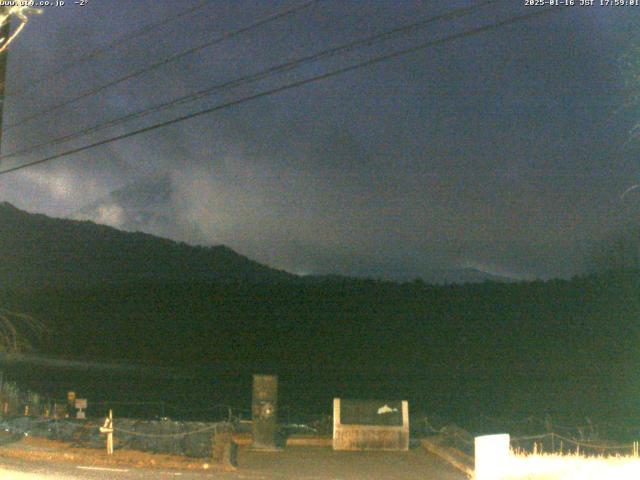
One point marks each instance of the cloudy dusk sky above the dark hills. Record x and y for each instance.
(506, 151)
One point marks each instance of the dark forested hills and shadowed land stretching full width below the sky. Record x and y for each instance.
(329, 328)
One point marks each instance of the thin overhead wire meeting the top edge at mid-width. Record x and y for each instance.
(165, 61)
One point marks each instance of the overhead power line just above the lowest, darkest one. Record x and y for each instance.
(289, 65)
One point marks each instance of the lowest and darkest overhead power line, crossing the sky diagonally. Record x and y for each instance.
(299, 83)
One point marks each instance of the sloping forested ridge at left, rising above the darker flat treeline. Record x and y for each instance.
(42, 250)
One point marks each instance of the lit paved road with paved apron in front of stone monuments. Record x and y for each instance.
(293, 463)
